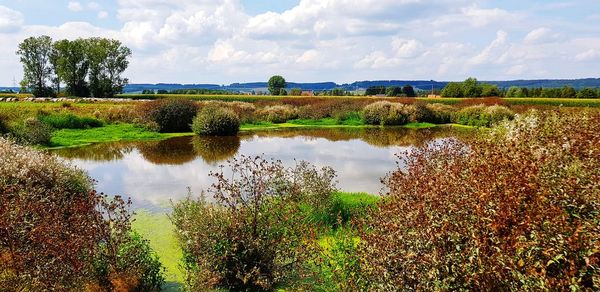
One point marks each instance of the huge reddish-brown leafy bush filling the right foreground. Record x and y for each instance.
(516, 210)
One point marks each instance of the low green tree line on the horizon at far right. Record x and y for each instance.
(471, 88)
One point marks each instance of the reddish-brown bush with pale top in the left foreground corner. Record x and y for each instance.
(53, 225)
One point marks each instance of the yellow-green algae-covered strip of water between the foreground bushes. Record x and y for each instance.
(160, 232)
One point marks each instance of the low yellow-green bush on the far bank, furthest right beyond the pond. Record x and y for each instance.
(482, 116)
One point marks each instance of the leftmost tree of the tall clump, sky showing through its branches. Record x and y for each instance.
(35, 55)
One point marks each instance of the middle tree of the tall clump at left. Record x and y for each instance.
(73, 65)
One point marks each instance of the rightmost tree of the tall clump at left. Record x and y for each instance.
(108, 60)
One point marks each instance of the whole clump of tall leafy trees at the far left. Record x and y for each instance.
(88, 67)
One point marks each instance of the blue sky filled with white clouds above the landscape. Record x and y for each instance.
(226, 41)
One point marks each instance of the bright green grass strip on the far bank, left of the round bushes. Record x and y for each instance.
(109, 133)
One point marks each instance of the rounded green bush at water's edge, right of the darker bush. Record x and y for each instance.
(216, 122)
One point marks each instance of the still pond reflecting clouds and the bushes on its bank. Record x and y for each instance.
(154, 173)
